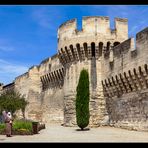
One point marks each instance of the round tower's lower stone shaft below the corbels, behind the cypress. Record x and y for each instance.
(96, 105)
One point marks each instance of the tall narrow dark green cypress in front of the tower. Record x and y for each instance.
(82, 100)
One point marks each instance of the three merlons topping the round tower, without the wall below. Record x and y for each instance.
(92, 24)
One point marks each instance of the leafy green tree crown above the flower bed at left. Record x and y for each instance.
(12, 101)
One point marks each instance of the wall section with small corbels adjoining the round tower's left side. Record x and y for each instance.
(52, 79)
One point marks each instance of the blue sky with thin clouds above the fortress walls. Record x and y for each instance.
(28, 34)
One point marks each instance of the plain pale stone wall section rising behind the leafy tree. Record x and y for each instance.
(29, 85)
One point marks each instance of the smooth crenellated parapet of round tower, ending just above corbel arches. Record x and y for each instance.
(96, 26)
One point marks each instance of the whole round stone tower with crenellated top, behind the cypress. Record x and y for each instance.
(86, 49)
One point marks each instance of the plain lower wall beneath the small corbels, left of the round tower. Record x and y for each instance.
(52, 106)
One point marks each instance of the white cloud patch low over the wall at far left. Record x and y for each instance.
(8, 71)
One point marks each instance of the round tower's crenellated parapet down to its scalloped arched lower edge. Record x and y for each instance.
(94, 29)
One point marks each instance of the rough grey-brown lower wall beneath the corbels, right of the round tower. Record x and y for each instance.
(129, 111)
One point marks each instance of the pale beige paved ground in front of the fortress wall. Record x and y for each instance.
(57, 133)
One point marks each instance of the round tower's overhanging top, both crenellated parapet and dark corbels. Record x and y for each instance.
(96, 34)
